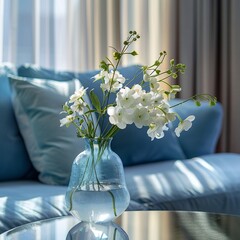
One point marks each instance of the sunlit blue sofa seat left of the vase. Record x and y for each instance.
(23, 202)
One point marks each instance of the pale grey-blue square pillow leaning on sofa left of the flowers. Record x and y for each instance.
(37, 104)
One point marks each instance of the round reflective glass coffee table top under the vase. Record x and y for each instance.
(139, 225)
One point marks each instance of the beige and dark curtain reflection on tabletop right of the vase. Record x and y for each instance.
(164, 225)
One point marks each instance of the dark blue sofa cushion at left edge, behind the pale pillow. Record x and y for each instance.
(14, 160)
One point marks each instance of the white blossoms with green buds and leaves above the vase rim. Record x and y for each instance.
(144, 104)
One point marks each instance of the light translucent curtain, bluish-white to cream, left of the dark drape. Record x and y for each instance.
(77, 34)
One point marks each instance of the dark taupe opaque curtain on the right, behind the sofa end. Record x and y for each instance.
(206, 37)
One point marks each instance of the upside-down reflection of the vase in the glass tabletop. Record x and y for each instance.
(97, 231)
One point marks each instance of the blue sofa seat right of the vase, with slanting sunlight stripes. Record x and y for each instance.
(207, 183)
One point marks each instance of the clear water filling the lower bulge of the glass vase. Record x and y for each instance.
(102, 205)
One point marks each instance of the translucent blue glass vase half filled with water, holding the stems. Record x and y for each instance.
(97, 190)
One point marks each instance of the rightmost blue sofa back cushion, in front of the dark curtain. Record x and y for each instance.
(202, 138)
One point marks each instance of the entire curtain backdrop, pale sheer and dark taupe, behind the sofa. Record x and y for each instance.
(76, 35)
